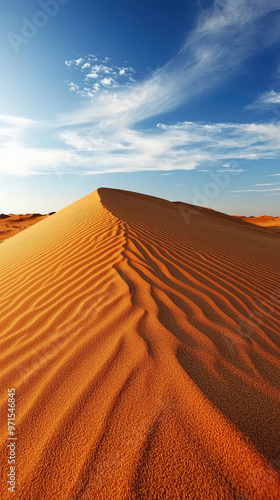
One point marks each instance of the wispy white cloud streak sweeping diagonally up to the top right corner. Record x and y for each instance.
(224, 37)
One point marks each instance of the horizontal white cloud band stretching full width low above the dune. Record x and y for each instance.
(182, 146)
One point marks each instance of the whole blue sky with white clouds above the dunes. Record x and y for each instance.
(176, 99)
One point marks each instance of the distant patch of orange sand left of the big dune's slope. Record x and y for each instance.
(11, 224)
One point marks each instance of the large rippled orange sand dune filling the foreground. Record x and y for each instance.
(142, 338)
